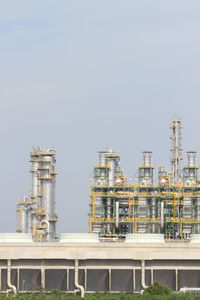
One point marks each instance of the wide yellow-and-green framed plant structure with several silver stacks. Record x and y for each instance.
(170, 206)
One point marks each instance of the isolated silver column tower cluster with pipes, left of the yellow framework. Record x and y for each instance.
(37, 211)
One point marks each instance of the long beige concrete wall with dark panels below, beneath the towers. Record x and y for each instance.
(102, 267)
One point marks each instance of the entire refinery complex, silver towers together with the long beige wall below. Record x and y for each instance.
(139, 231)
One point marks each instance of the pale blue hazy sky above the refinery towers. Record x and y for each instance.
(79, 76)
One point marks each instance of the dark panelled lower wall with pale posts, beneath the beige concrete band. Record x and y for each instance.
(99, 275)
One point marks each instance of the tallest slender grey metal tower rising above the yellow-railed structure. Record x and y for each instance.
(176, 149)
